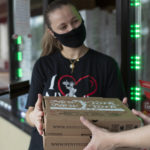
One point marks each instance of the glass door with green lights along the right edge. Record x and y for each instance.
(139, 53)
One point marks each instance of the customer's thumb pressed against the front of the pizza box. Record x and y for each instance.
(88, 124)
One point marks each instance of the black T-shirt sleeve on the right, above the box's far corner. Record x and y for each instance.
(114, 87)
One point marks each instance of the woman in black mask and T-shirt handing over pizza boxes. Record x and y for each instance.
(67, 67)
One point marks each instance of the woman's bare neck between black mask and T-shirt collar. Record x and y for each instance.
(74, 53)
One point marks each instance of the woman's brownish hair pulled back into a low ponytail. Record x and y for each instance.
(49, 43)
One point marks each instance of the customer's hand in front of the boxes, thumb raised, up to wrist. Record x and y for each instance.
(101, 138)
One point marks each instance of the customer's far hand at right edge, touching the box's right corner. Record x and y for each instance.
(144, 117)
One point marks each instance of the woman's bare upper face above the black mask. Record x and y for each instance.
(64, 19)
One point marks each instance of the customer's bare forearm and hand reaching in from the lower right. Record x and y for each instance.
(104, 140)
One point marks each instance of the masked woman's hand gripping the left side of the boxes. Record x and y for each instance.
(37, 114)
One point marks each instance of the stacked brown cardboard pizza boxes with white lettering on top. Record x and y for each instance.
(63, 129)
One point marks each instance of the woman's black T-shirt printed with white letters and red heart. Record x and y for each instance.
(94, 75)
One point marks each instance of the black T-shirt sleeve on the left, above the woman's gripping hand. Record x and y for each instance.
(37, 84)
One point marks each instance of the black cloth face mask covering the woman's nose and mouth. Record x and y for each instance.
(73, 38)
